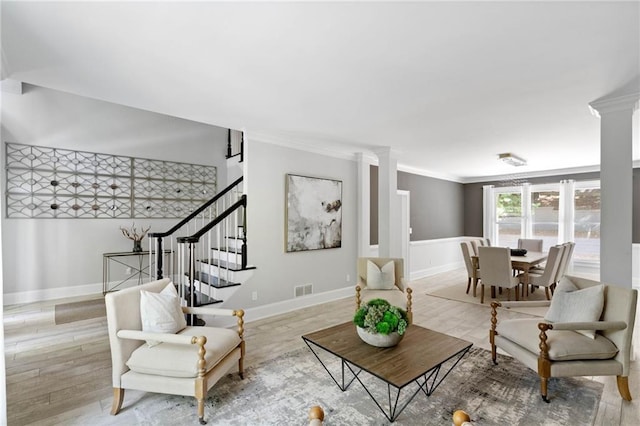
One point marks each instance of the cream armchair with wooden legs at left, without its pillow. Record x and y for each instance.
(187, 363)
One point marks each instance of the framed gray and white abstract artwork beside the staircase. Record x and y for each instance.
(313, 213)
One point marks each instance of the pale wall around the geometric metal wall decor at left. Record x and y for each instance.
(50, 258)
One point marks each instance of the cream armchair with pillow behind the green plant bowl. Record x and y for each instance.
(382, 277)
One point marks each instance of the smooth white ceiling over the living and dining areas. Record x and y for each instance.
(447, 85)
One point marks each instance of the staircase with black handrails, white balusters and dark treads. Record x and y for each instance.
(208, 249)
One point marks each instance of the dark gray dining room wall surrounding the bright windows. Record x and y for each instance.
(473, 200)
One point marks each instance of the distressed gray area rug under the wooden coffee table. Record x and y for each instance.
(281, 392)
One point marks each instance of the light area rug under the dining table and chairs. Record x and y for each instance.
(458, 292)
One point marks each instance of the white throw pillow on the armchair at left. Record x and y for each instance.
(161, 312)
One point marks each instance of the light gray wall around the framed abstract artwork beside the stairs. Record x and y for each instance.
(279, 272)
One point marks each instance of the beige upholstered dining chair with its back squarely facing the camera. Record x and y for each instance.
(495, 270)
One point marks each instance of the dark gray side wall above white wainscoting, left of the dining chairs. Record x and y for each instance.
(437, 206)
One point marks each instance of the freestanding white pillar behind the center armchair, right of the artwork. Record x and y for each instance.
(389, 241)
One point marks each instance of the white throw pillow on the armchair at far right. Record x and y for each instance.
(577, 306)
